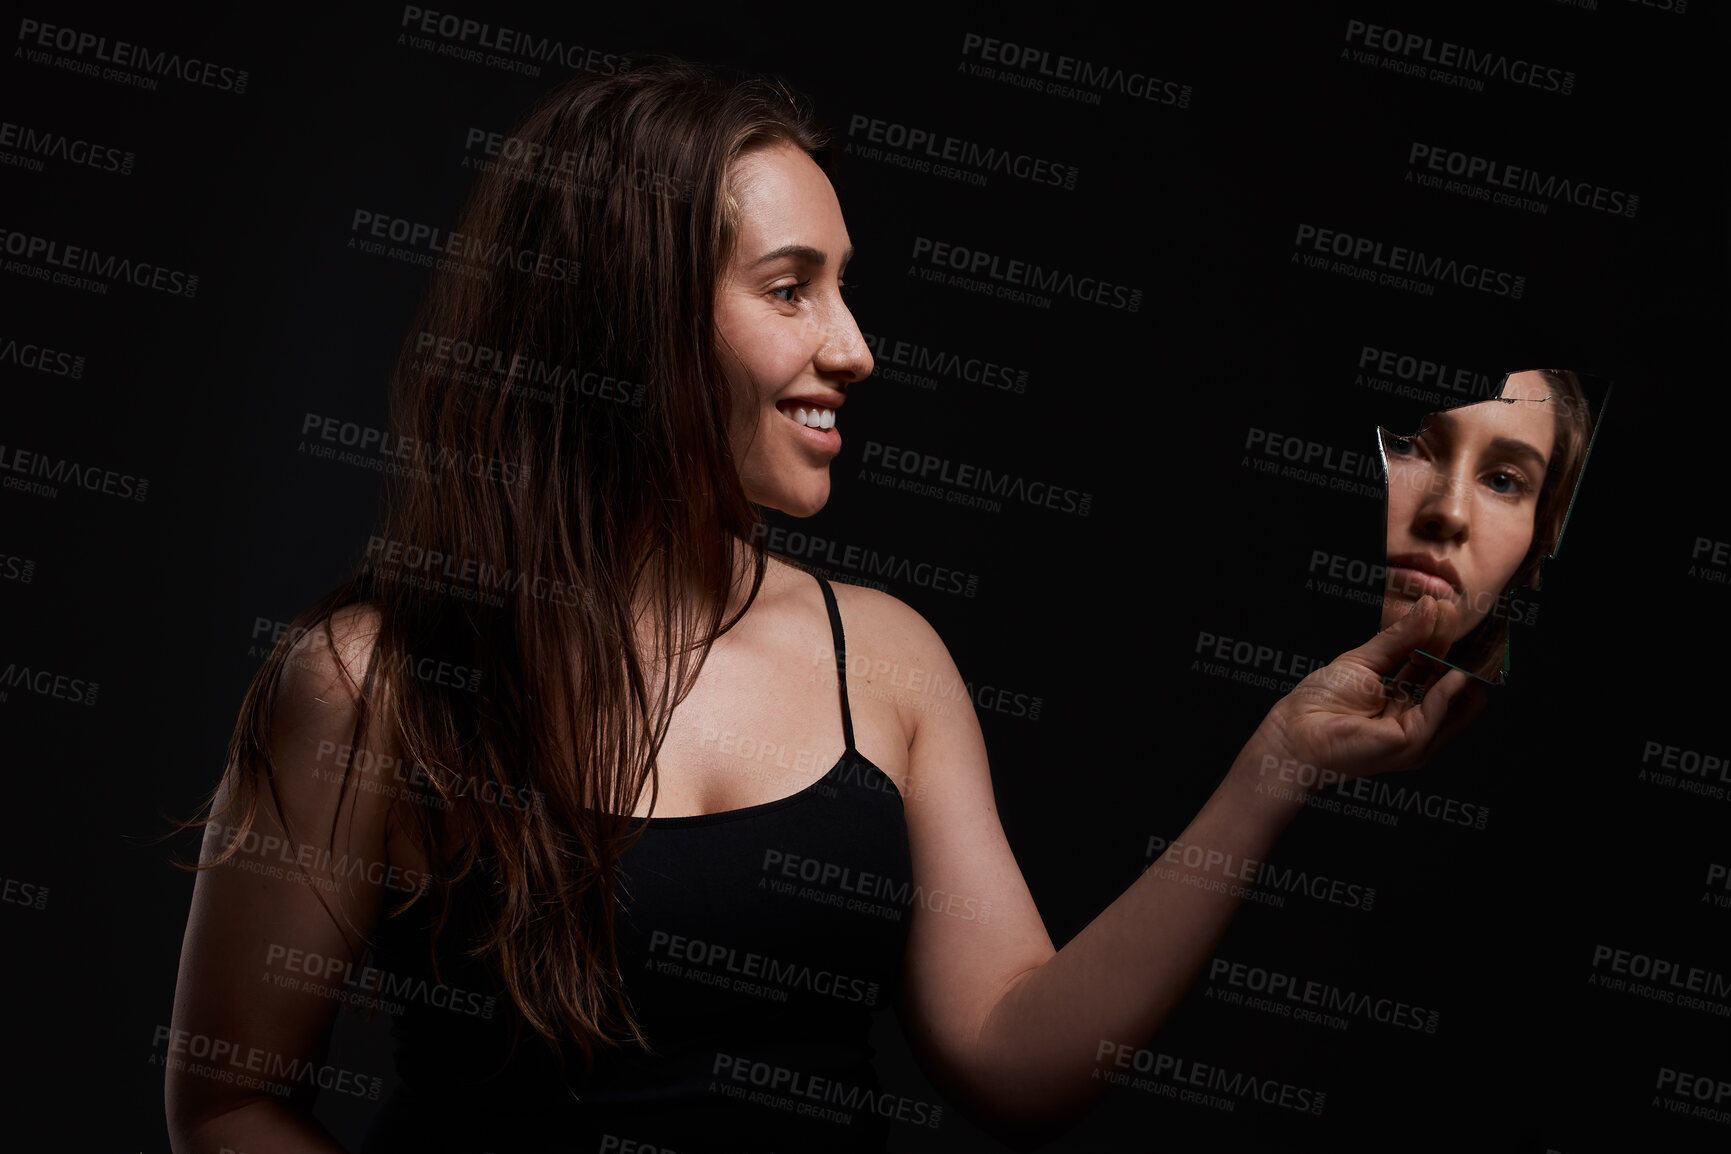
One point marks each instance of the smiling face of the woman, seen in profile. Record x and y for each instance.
(787, 337)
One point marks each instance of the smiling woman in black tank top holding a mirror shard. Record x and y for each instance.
(681, 949)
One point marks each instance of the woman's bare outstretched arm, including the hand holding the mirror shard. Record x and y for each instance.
(1017, 1029)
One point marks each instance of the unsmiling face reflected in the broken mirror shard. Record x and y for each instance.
(1462, 501)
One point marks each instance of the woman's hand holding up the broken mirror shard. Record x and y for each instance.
(1344, 722)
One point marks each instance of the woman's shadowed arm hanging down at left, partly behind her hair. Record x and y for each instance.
(243, 1030)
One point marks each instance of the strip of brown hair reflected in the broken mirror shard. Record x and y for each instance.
(1484, 648)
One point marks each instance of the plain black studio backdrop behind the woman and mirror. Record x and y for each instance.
(1522, 946)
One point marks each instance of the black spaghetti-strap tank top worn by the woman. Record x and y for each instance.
(756, 944)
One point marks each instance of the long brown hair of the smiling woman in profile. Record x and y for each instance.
(563, 414)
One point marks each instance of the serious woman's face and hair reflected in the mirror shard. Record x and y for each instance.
(1477, 501)
